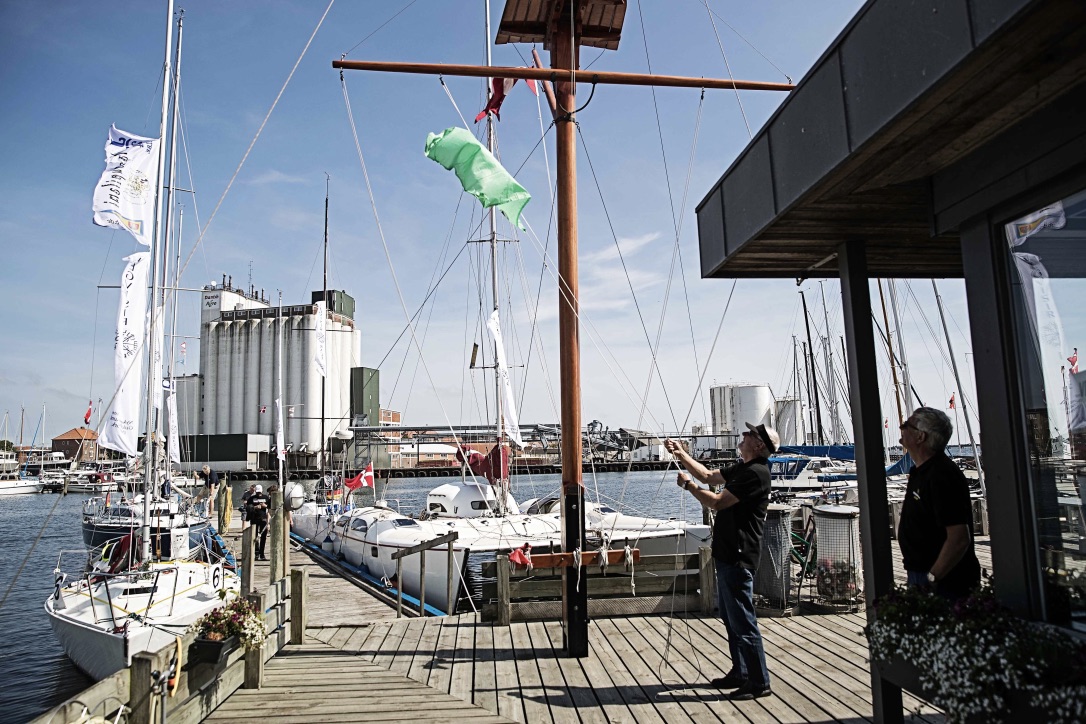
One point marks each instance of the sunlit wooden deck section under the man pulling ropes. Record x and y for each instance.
(643, 669)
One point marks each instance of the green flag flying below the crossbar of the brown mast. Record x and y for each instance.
(481, 173)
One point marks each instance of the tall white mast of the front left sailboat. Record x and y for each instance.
(153, 324)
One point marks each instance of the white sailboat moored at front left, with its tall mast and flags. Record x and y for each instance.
(145, 589)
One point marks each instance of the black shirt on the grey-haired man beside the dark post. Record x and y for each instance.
(937, 498)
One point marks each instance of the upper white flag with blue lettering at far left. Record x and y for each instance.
(124, 197)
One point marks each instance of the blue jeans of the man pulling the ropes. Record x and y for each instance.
(736, 600)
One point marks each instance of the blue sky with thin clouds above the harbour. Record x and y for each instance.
(257, 207)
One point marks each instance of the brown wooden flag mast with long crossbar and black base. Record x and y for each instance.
(560, 28)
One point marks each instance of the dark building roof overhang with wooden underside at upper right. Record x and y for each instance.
(864, 148)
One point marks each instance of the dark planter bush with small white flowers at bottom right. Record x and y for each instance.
(976, 661)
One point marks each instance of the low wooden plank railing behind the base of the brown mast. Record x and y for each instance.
(656, 585)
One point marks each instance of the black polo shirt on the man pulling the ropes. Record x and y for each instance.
(737, 531)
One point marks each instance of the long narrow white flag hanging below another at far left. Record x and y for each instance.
(122, 421)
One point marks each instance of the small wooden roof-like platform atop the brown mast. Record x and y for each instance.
(533, 21)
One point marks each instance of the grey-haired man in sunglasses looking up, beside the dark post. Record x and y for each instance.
(937, 528)
